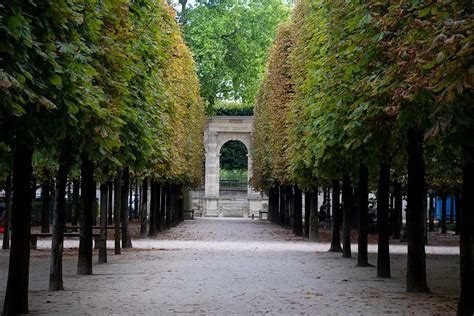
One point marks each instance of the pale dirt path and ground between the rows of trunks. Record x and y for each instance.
(239, 266)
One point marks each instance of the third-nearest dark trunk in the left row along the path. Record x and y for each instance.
(84, 263)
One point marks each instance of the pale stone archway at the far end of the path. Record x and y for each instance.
(219, 130)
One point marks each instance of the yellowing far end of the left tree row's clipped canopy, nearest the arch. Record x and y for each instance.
(185, 110)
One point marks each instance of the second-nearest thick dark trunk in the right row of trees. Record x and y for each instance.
(416, 267)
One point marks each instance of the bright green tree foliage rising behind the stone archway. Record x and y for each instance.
(229, 40)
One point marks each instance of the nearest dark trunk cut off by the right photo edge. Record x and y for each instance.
(466, 244)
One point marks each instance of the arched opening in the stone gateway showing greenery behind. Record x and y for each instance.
(233, 162)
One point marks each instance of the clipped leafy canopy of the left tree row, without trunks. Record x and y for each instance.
(110, 79)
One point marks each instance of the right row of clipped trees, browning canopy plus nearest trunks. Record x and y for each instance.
(378, 86)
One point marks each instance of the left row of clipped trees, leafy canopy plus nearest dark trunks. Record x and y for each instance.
(107, 86)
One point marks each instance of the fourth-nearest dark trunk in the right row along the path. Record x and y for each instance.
(363, 197)
